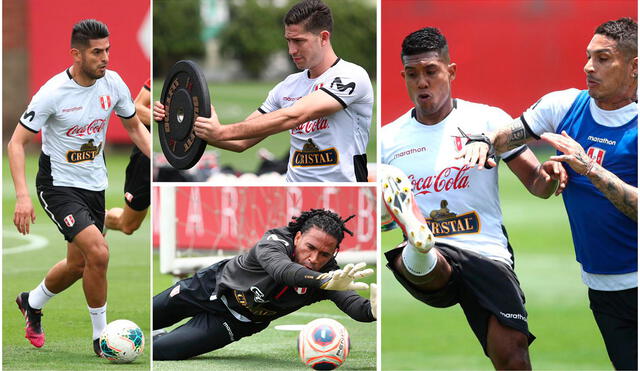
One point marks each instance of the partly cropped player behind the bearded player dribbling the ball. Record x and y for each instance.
(137, 185)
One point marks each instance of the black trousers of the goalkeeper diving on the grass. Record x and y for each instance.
(211, 325)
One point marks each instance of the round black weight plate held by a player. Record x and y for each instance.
(185, 96)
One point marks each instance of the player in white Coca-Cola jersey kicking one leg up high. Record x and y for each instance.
(467, 259)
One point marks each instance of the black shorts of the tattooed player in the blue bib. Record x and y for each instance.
(616, 313)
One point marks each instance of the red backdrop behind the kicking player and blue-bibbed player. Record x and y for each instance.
(509, 53)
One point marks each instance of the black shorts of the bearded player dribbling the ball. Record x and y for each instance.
(72, 209)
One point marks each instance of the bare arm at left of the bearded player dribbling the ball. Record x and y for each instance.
(24, 213)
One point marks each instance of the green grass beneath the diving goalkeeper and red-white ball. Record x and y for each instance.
(274, 349)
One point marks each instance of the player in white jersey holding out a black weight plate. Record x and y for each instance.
(327, 107)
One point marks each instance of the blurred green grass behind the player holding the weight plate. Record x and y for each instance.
(234, 102)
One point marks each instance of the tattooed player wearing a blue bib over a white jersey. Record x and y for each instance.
(596, 134)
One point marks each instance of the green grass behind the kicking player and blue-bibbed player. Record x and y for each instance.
(418, 337)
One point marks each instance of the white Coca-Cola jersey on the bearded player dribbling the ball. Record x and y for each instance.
(74, 120)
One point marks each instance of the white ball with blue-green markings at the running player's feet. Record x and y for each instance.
(122, 341)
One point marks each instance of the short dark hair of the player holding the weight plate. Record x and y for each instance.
(314, 15)
